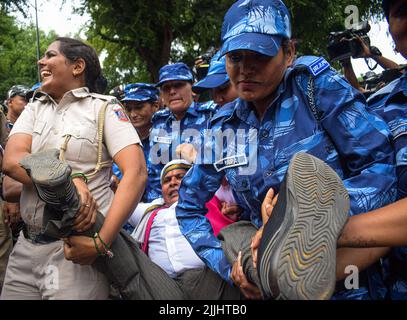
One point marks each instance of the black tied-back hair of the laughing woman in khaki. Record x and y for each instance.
(73, 50)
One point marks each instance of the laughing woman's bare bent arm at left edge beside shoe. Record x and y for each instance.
(18, 147)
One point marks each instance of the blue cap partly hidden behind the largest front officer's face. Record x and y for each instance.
(216, 76)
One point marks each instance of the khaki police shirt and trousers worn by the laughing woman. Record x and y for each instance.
(35, 269)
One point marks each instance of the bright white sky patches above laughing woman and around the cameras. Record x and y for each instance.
(51, 15)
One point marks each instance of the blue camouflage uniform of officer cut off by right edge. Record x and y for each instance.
(390, 103)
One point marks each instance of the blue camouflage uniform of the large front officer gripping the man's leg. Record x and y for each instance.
(354, 142)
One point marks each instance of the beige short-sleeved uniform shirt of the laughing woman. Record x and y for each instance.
(77, 115)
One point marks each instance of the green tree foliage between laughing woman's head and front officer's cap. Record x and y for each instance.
(141, 36)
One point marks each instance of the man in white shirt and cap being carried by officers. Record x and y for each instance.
(157, 231)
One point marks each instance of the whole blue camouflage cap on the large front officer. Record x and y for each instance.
(256, 25)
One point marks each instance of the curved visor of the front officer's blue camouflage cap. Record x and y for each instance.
(268, 45)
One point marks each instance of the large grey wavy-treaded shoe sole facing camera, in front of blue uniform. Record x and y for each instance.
(299, 261)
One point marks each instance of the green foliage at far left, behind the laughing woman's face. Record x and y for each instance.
(18, 53)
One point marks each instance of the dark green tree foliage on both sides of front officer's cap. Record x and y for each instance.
(138, 37)
